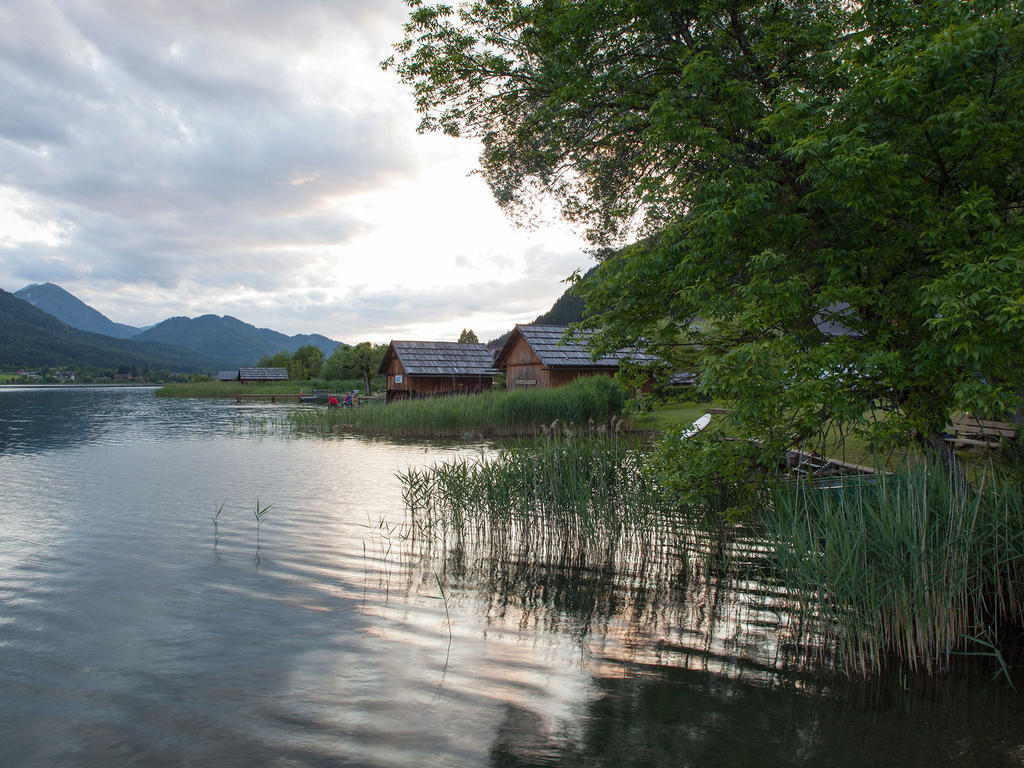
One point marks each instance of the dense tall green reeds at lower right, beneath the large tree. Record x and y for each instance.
(919, 568)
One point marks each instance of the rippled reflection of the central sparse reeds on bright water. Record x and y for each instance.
(663, 595)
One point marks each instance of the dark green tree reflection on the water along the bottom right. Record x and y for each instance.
(658, 716)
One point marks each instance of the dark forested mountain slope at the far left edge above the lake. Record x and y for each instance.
(32, 338)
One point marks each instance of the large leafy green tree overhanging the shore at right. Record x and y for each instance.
(823, 198)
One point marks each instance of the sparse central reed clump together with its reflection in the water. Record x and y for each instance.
(572, 534)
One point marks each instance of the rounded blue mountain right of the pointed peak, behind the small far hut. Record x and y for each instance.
(229, 340)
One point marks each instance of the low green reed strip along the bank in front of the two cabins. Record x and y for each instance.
(496, 413)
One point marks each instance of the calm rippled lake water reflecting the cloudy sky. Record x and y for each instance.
(135, 632)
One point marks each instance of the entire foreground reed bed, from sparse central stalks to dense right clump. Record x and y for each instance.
(907, 572)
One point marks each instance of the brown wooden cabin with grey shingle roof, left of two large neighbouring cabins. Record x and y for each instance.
(430, 369)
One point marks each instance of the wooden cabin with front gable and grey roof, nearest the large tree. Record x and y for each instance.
(537, 357)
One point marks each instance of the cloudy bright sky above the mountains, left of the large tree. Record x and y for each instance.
(251, 158)
